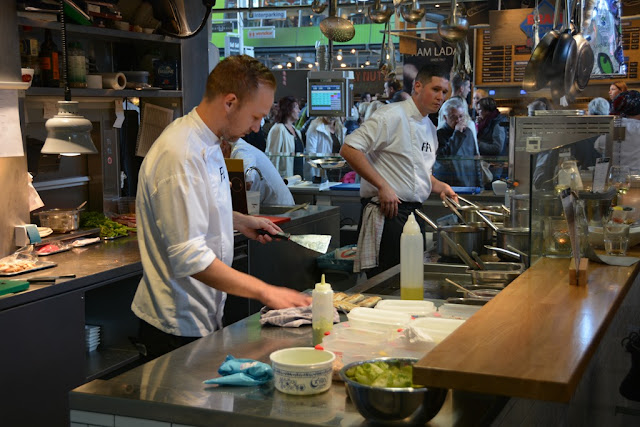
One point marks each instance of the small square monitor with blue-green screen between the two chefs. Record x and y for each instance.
(327, 97)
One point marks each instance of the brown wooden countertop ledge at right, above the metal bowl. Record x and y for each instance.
(535, 339)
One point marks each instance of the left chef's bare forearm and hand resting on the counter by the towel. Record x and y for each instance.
(220, 276)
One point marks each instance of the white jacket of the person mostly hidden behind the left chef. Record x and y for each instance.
(271, 186)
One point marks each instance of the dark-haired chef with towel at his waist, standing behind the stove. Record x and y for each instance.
(394, 152)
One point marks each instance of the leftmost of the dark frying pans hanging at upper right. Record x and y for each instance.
(536, 73)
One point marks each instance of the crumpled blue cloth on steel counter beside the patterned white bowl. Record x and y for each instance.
(242, 372)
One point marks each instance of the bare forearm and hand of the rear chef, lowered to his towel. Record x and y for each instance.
(358, 161)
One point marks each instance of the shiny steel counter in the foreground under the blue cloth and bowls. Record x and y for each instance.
(170, 388)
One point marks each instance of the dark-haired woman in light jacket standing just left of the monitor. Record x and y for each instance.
(285, 139)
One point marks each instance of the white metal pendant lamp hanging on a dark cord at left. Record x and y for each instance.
(68, 133)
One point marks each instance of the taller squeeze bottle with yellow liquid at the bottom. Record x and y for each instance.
(411, 261)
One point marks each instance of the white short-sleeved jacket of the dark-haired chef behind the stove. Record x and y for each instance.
(401, 146)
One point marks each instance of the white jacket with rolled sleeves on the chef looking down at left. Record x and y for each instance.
(185, 222)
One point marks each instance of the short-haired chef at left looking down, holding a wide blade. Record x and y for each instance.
(185, 220)
